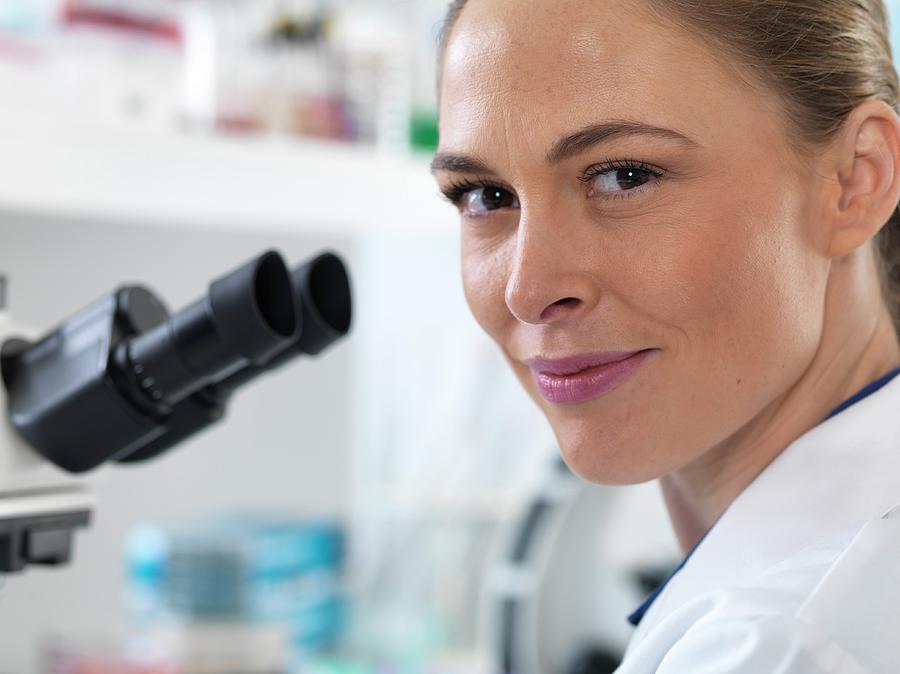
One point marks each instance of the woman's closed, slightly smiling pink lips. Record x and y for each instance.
(577, 380)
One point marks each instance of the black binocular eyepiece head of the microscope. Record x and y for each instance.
(123, 378)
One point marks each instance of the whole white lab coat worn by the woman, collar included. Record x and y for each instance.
(801, 575)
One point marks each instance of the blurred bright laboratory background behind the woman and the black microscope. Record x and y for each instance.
(394, 505)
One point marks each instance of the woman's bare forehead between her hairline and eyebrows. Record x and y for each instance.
(559, 65)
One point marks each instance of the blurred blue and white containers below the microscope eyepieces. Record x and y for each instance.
(269, 589)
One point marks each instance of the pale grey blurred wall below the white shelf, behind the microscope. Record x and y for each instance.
(284, 445)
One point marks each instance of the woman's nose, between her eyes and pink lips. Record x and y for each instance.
(550, 279)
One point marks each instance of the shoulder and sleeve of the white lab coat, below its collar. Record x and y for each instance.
(833, 607)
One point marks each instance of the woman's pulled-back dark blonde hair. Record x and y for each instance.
(822, 57)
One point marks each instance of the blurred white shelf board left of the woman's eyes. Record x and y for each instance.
(118, 173)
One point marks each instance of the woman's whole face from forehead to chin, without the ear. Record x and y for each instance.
(627, 198)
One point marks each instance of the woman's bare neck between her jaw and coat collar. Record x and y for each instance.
(859, 345)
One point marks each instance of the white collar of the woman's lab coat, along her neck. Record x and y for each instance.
(835, 477)
